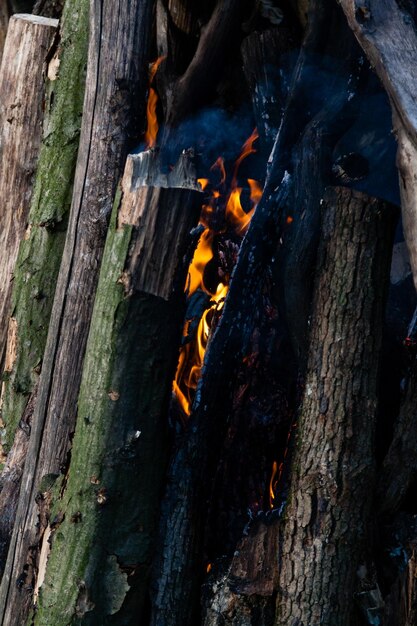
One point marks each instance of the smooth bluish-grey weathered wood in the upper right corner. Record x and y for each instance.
(388, 37)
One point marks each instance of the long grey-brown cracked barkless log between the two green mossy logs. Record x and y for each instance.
(115, 95)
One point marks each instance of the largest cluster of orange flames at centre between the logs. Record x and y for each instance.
(192, 353)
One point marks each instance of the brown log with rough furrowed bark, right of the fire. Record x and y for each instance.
(324, 545)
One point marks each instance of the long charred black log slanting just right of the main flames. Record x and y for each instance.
(179, 562)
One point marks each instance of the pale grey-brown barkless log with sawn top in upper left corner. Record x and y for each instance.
(22, 88)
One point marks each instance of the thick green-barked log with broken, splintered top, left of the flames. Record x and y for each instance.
(121, 436)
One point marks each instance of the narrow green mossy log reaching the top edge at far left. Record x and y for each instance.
(40, 251)
